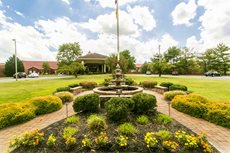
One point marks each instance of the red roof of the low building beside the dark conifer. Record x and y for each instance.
(38, 64)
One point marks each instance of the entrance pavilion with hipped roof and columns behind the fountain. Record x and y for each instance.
(94, 62)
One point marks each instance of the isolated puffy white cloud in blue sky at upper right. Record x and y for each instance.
(183, 13)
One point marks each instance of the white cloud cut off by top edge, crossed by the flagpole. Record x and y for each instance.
(111, 3)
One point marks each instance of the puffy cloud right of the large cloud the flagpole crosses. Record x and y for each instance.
(143, 17)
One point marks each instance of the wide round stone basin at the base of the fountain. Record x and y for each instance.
(112, 90)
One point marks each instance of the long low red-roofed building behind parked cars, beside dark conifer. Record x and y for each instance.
(36, 66)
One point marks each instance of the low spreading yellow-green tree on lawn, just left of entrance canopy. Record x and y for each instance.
(74, 68)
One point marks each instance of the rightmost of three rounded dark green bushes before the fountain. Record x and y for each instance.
(144, 102)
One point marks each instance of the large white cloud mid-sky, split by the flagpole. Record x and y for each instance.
(107, 24)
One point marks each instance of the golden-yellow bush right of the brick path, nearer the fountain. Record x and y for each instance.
(191, 104)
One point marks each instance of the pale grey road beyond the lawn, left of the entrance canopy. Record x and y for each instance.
(39, 78)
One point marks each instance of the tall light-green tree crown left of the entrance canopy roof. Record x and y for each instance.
(68, 53)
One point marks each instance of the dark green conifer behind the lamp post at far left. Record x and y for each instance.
(10, 66)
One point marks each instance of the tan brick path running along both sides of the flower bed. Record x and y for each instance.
(217, 135)
